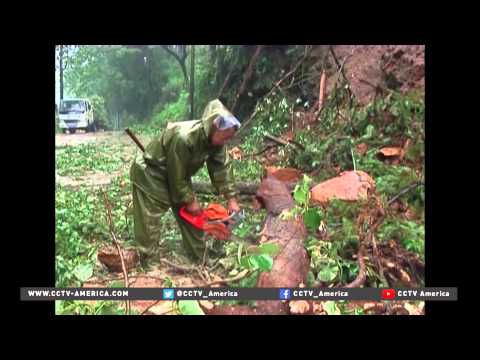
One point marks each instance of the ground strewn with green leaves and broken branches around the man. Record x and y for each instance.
(341, 138)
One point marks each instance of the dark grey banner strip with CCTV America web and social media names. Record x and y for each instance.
(373, 294)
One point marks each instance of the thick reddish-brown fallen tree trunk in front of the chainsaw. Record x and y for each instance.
(291, 264)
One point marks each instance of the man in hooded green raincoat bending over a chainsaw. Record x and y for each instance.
(161, 176)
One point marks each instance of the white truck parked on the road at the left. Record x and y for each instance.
(76, 114)
